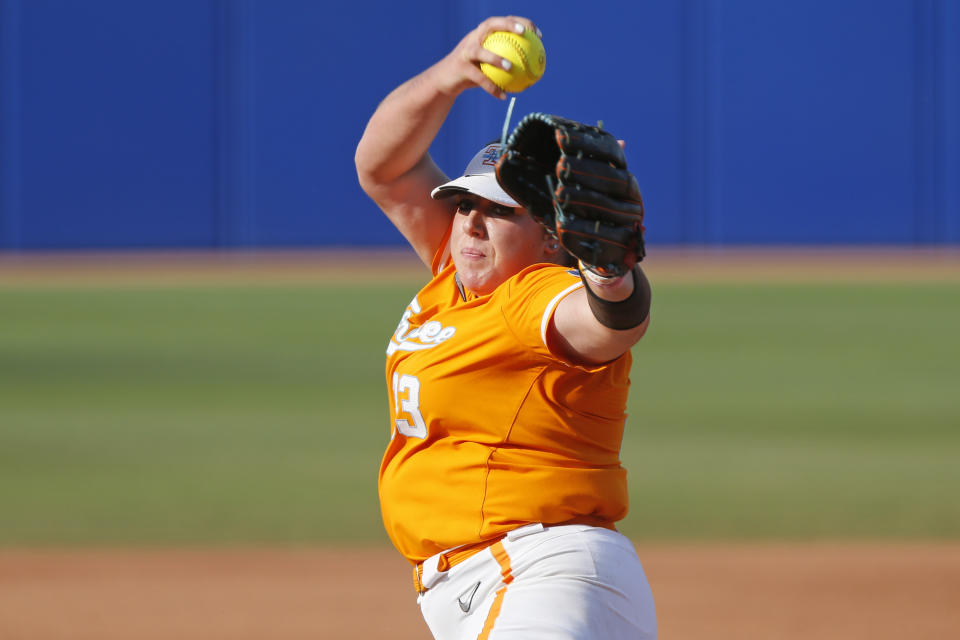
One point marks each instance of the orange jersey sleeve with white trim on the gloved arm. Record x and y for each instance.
(531, 299)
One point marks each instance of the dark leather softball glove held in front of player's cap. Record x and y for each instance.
(573, 178)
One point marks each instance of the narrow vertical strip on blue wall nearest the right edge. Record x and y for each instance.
(924, 123)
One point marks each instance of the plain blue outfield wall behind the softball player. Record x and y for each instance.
(232, 123)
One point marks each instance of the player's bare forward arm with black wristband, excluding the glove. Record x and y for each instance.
(580, 328)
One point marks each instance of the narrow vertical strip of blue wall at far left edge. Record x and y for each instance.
(10, 170)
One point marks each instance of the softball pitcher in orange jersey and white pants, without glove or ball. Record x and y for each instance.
(501, 482)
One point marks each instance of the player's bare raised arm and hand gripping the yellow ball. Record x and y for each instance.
(393, 161)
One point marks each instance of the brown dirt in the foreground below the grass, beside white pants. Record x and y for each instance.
(720, 592)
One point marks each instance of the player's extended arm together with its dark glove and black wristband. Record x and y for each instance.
(573, 178)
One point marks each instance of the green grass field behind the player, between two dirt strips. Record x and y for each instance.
(230, 415)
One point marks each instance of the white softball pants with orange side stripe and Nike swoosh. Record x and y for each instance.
(569, 582)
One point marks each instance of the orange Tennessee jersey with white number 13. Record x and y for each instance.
(490, 429)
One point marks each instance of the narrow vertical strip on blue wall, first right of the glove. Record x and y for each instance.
(713, 187)
